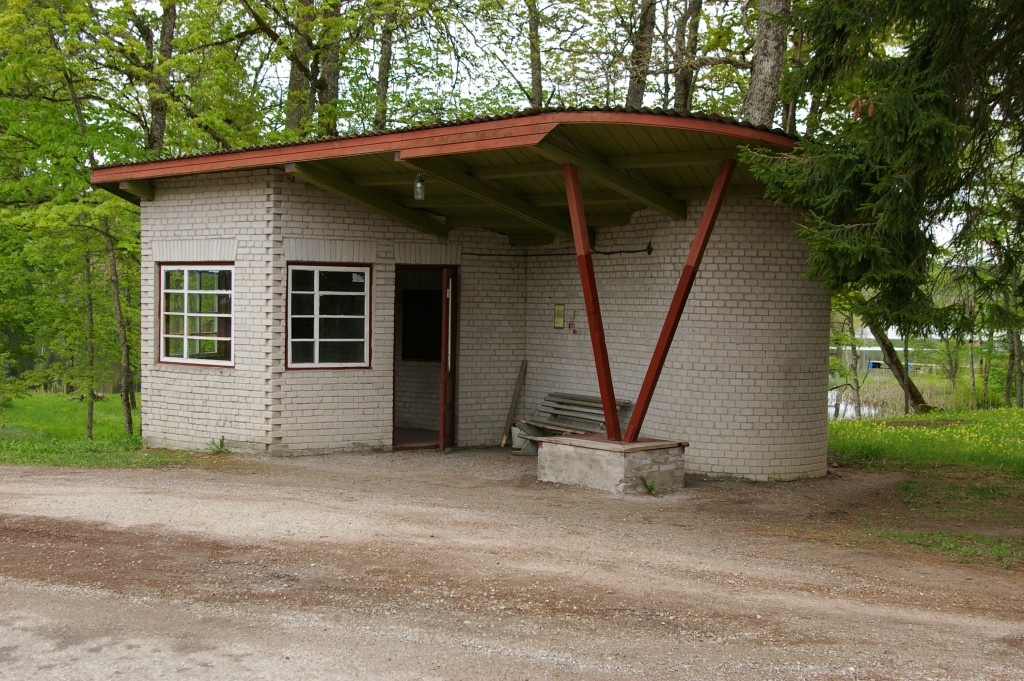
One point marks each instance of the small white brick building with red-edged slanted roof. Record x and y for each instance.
(290, 314)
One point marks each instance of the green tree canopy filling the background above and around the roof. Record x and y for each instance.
(910, 112)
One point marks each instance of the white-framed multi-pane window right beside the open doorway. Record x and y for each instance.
(328, 317)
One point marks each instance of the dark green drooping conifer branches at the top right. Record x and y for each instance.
(907, 122)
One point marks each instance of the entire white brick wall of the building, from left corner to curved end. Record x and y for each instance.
(745, 384)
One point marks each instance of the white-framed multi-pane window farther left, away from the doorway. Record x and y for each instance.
(196, 314)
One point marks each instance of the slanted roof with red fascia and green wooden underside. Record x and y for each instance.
(503, 175)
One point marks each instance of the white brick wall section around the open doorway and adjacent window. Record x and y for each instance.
(353, 409)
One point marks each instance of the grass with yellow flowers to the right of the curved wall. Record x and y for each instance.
(964, 491)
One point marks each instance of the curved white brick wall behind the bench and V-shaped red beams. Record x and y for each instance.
(746, 380)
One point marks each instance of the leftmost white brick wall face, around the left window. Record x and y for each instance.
(194, 222)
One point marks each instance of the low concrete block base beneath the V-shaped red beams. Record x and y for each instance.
(594, 462)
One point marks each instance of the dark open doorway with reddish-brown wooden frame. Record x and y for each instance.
(424, 358)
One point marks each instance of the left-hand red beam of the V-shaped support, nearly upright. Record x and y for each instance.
(586, 265)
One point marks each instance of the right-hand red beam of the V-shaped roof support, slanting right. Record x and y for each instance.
(687, 279)
